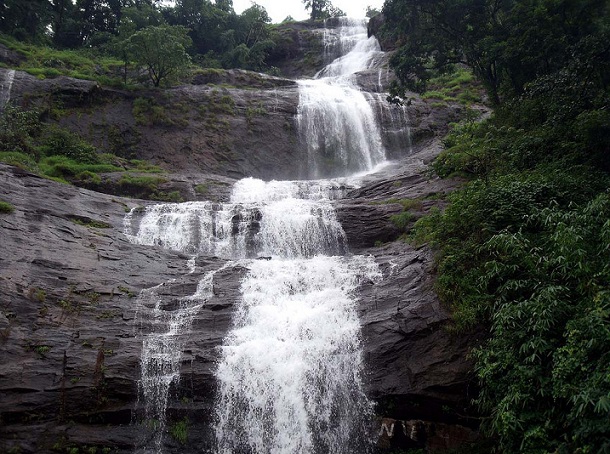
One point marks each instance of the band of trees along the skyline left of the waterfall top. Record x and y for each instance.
(129, 31)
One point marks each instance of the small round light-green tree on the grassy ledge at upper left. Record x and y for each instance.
(161, 49)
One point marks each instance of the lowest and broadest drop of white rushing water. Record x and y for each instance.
(290, 376)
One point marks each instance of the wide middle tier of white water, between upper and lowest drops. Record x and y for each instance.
(278, 218)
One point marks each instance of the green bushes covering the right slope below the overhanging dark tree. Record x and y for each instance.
(524, 255)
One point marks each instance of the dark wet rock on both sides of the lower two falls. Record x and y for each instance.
(71, 321)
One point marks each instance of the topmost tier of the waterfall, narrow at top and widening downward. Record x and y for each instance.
(334, 118)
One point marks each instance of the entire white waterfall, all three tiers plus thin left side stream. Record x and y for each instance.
(290, 370)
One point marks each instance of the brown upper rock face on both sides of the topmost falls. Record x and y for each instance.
(218, 124)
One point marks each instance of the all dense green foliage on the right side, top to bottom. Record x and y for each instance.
(524, 246)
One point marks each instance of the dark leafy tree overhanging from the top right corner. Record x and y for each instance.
(507, 43)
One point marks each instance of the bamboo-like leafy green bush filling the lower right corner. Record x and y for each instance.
(547, 365)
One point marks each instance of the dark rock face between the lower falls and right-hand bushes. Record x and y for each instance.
(416, 368)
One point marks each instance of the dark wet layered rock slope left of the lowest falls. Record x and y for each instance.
(69, 324)
